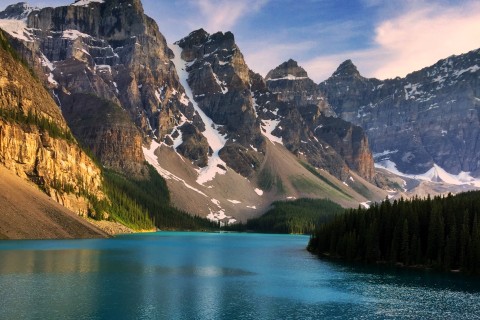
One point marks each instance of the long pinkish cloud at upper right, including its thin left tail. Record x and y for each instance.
(417, 38)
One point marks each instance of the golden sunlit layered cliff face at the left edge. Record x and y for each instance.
(35, 141)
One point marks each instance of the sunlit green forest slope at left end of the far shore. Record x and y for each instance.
(145, 204)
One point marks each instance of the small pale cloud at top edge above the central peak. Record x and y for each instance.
(222, 15)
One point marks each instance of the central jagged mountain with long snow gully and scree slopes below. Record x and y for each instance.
(252, 134)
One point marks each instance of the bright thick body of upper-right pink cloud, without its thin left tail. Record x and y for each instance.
(424, 36)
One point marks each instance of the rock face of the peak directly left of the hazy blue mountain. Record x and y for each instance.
(310, 126)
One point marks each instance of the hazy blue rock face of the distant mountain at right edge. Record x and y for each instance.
(429, 117)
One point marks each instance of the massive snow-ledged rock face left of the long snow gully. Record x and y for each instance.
(113, 51)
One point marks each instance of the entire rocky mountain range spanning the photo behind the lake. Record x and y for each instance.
(227, 141)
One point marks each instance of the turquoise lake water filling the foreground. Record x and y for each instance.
(215, 276)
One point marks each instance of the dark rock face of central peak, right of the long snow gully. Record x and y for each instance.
(219, 80)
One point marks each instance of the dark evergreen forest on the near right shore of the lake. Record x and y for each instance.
(441, 233)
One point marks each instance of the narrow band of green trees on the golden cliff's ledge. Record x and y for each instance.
(18, 116)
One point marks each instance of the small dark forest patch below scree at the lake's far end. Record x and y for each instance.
(302, 216)
